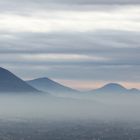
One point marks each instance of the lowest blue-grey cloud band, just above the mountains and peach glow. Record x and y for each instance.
(96, 73)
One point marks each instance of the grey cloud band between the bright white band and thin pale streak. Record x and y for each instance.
(105, 42)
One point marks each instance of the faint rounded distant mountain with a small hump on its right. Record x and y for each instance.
(114, 88)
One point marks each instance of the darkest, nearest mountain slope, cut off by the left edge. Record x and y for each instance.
(11, 83)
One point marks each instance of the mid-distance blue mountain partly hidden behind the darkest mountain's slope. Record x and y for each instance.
(48, 85)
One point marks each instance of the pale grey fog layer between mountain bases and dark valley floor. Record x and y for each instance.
(106, 107)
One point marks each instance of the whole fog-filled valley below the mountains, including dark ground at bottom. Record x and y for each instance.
(41, 117)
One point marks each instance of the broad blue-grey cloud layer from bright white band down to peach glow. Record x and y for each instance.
(120, 48)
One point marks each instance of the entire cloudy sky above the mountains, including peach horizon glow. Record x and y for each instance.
(81, 43)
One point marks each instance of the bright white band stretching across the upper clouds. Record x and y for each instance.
(53, 21)
